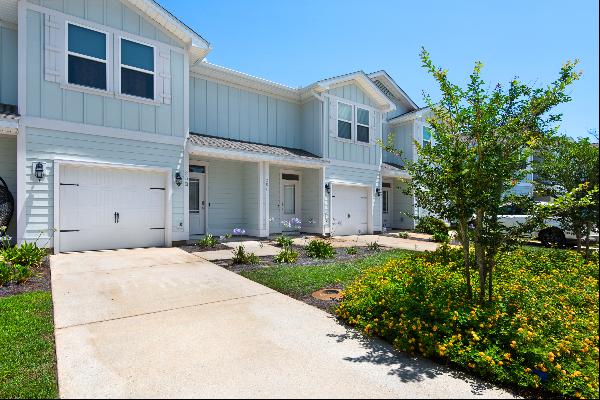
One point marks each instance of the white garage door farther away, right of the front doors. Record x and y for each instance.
(349, 210)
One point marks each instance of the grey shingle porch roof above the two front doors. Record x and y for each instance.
(238, 145)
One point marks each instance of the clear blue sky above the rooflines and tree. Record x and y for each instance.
(298, 42)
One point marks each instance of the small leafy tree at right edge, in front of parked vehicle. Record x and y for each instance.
(567, 170)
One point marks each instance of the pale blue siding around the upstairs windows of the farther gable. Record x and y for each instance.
(344, 150)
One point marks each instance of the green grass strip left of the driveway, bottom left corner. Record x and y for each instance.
(27, 355)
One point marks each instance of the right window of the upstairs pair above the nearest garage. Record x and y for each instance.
(137, 69)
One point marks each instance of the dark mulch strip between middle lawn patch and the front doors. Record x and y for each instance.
(303, 259)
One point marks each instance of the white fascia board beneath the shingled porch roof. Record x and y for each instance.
(253, 157)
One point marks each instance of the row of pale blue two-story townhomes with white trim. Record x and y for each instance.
(115, 133)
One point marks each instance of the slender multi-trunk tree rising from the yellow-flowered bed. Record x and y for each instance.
(482, 140)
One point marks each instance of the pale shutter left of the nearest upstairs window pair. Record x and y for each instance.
(54, 48)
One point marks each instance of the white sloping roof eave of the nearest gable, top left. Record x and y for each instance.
(198, 46)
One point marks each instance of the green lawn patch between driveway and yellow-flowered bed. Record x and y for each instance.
(298, 281)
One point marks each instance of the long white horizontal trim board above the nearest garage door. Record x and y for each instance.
(50, 124)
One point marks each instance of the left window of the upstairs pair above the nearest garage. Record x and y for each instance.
(86, 57)
